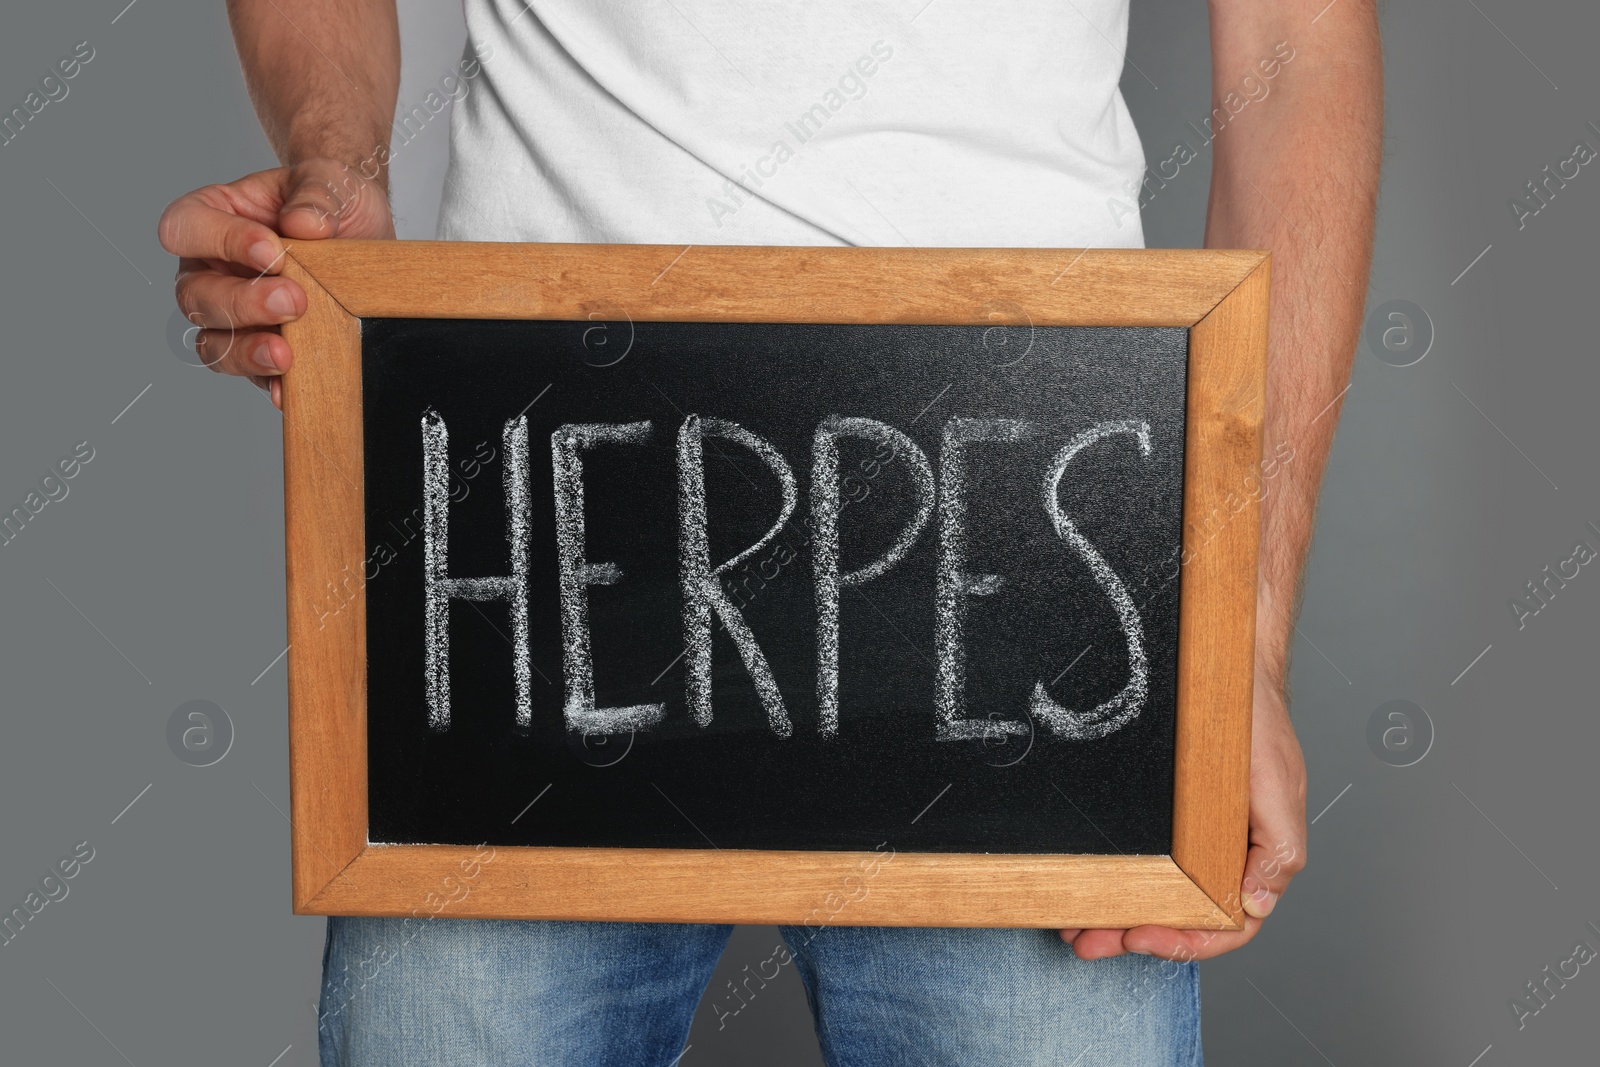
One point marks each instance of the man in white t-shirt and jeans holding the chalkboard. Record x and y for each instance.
(927, 124)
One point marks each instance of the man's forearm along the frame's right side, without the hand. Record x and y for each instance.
(1298, 174)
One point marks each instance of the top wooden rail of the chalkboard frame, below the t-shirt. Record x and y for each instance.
(1049, 287)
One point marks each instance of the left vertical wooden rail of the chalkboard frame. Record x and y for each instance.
(327, 621)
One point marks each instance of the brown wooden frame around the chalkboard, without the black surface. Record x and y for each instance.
(1222, 297)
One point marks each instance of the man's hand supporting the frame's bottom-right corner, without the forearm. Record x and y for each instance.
(1278, 844)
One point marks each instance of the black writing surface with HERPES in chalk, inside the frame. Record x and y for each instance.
(985, 522)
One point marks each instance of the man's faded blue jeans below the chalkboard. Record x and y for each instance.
(497, 993)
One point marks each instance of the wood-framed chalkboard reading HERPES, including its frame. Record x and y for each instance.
(790, 564)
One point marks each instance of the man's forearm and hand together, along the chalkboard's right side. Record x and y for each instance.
(1295, 170)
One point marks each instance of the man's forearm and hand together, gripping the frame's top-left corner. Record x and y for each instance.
(324, 78)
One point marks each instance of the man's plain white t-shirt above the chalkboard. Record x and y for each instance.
(831, 122)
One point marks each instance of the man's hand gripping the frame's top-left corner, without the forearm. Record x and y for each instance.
(228, 241)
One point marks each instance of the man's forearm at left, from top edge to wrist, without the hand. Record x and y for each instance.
(324, 78)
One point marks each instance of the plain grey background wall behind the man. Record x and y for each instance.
(1431, 895)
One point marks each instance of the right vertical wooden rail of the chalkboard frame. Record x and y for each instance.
(1217, 621)
